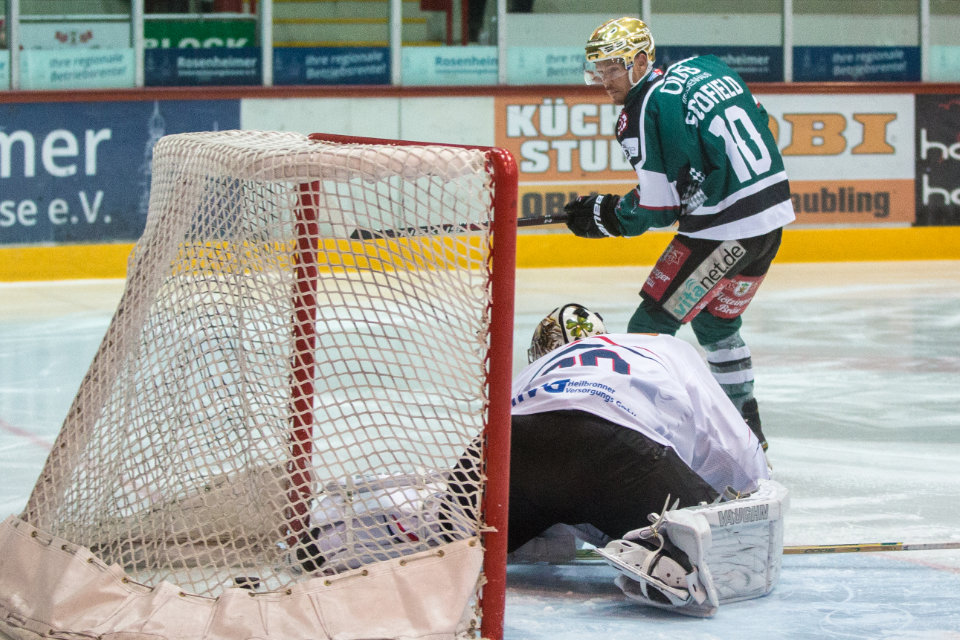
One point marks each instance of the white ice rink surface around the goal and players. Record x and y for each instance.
(858, 377)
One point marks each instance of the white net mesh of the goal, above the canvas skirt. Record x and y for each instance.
(297, 364)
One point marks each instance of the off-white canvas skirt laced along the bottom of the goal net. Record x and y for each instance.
(92, 599)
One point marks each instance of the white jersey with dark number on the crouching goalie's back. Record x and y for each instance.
(655, 384)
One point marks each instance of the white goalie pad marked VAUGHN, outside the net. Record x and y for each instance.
(695, 559)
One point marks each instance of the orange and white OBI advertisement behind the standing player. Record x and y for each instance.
(850, 158)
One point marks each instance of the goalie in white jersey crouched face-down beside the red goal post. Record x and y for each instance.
(606, 429)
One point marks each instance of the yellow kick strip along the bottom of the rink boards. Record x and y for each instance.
(538, 250)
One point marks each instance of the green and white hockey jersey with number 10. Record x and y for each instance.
(704, 155)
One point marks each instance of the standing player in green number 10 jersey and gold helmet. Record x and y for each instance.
(707, 162)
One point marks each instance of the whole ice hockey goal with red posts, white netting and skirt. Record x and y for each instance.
(297, 423)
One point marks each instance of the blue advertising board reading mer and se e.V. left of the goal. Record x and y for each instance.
(80, 172)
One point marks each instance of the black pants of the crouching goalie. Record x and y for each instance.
(573, 467)
